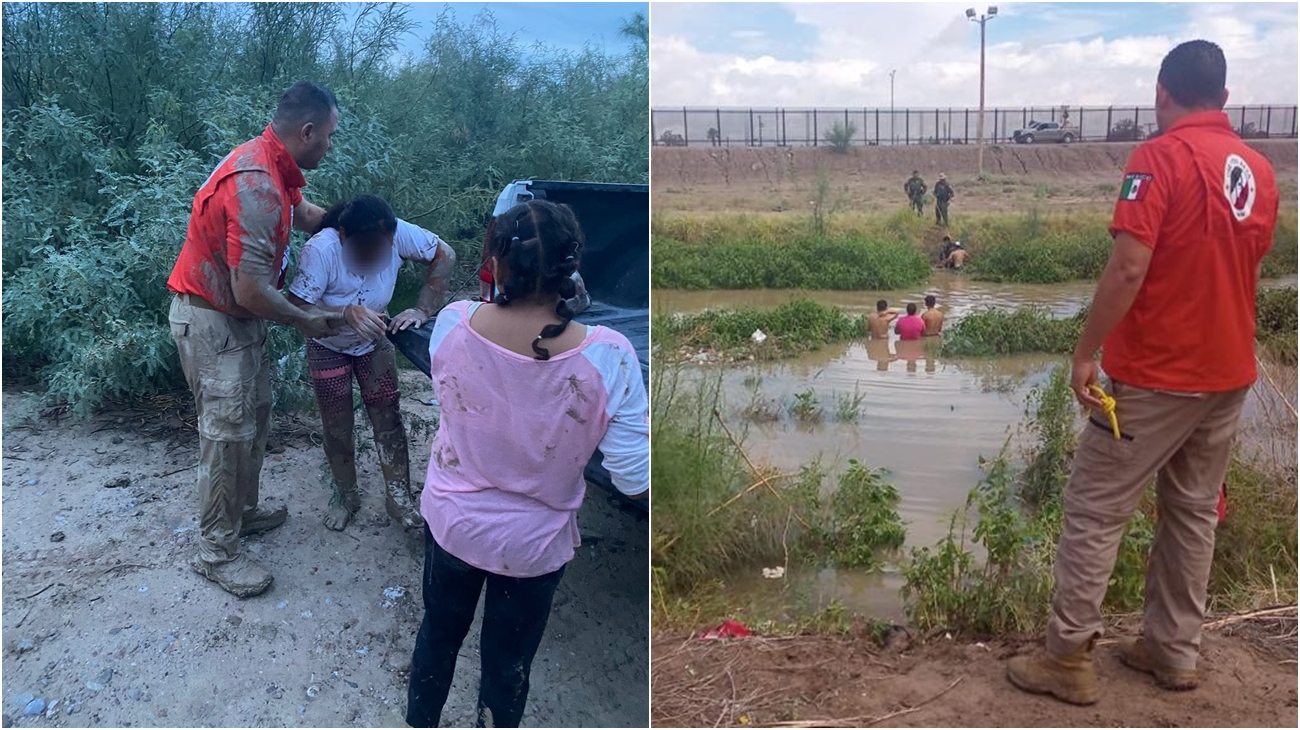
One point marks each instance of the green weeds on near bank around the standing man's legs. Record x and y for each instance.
(1016, 518)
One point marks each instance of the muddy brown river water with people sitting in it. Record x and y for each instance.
(925, 419)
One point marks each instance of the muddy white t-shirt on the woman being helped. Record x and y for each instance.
(324, 279)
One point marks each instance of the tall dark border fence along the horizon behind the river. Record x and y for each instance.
(874, 127)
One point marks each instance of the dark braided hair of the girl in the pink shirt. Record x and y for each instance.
(539, 245)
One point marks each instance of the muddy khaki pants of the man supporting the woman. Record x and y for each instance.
(229, 373)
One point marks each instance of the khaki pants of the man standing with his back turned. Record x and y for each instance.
(1185, 440)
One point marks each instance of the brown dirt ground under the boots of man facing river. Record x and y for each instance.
(1249, 680)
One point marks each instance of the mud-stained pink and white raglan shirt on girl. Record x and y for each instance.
(505, 477)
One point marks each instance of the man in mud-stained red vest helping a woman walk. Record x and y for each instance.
(227, 284)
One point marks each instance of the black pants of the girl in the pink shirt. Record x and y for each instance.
(515, 619)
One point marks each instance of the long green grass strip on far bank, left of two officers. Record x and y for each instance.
(840, 263)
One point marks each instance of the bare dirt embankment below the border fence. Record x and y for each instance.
(872, 179)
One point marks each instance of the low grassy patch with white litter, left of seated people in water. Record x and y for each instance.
(794, 328)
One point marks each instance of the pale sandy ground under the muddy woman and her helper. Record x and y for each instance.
(107, 625)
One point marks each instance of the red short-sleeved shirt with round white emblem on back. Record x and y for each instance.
(1206, 203)
